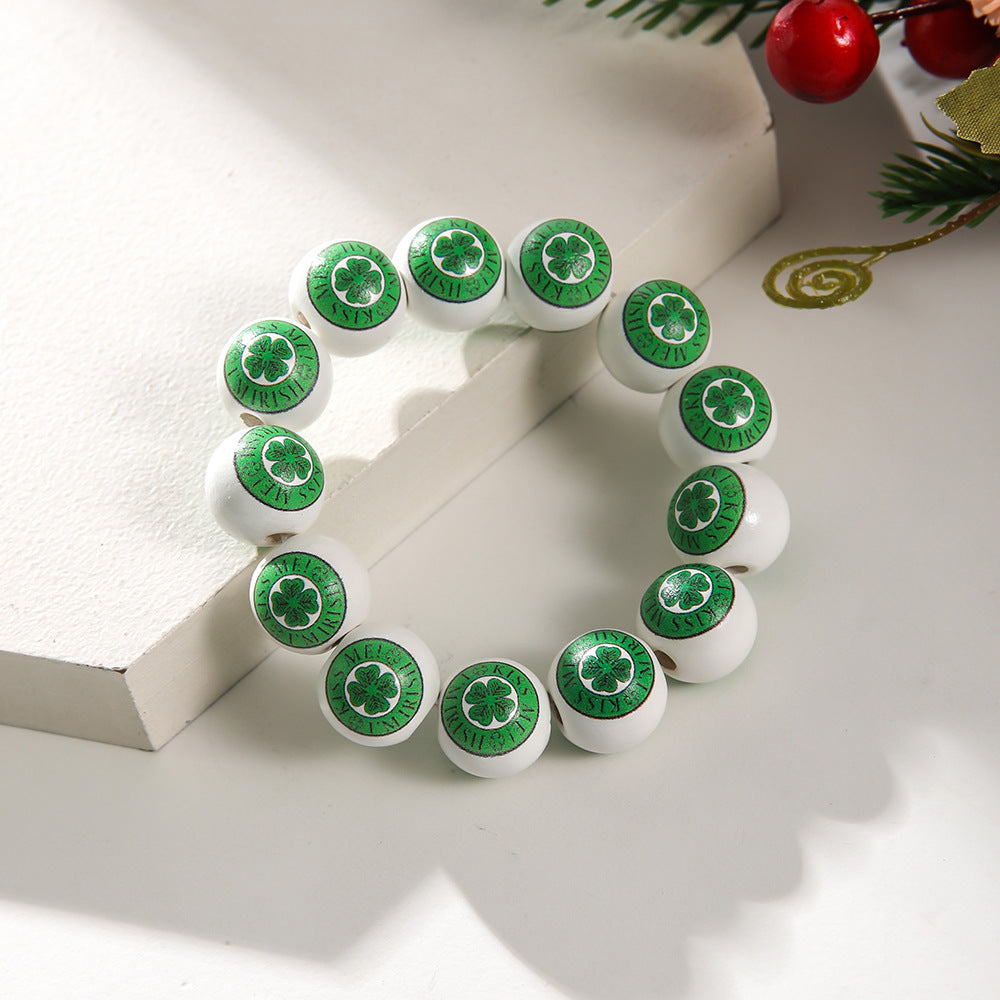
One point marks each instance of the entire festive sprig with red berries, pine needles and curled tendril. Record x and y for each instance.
(824, 50)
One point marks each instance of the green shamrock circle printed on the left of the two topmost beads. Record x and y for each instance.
(455, 260)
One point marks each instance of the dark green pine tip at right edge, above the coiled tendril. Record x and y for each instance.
(946, 180)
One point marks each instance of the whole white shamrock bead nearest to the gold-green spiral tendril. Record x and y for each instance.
(653, 334)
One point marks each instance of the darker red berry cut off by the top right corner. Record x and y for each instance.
(951, 42)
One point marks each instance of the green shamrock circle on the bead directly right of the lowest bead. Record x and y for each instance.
(605, 674)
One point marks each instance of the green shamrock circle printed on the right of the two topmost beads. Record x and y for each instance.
(565, 263)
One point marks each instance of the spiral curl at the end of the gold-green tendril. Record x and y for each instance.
(818, 279)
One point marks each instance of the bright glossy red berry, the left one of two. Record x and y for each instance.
(821, 50)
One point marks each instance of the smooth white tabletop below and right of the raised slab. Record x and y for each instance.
(821, 824)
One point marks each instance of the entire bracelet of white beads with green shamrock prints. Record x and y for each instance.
(606, 689)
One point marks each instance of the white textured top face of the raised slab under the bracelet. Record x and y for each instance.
(167, 164)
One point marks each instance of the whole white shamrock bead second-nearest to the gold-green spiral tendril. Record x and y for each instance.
(720, 413)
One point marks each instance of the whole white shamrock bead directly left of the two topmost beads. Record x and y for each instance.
(349, 293)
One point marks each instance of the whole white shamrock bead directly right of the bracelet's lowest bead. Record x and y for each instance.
(608, 691)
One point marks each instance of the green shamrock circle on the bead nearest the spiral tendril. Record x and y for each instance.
(665, 324)
